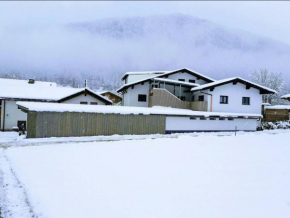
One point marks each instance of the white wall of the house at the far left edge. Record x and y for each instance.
(12, 115)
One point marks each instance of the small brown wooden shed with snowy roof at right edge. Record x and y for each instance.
(277, 113)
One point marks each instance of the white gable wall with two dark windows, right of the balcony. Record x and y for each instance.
(235, 94)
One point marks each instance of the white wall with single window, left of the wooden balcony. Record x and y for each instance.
(131, 97)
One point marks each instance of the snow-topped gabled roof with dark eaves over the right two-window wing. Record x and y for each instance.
(227, 80)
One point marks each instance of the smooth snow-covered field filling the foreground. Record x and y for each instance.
(213, 175)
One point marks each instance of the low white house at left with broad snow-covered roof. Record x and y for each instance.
(21, 90)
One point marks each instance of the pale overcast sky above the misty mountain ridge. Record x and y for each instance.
(269, 19)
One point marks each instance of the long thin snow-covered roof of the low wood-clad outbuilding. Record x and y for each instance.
(55, 107)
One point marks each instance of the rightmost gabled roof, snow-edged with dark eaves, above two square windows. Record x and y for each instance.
(263, 89)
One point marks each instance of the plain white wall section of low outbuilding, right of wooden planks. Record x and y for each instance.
(186, 124)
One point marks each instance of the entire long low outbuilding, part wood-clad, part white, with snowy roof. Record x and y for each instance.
(64, 120)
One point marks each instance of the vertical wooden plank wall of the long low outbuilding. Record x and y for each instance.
(56, 124)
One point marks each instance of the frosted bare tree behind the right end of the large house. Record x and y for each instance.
(271, 80)
